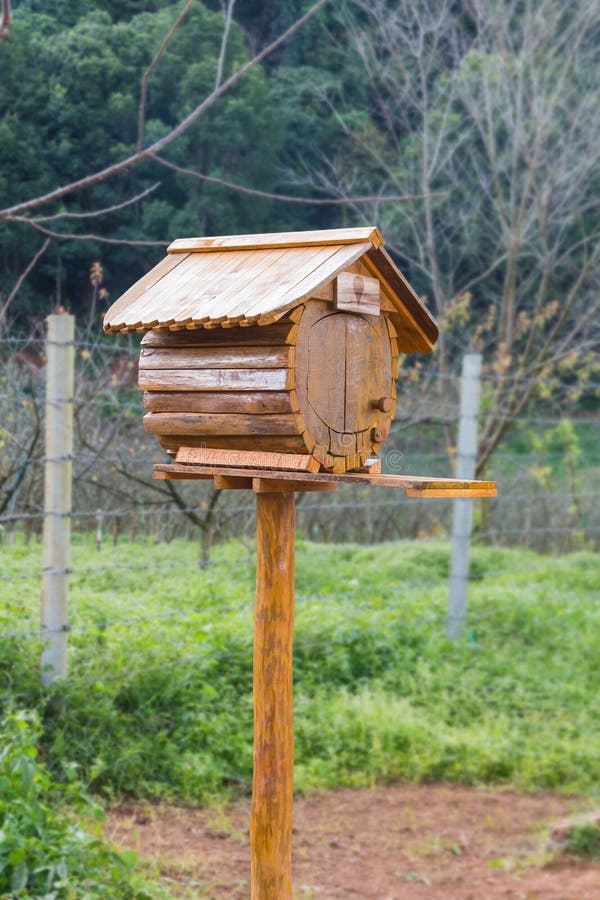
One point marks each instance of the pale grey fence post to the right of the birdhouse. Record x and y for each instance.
(466, 460)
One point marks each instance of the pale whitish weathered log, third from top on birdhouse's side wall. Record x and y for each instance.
(215, 379)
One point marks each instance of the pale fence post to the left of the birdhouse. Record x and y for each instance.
(57, 495)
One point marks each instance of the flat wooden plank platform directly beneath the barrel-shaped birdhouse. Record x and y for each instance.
(414, 485)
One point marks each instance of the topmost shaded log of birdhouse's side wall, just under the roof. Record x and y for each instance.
(252, 336)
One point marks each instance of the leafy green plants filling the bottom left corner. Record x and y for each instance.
(44, 851)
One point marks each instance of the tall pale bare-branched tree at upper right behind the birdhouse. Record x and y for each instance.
(489, 111)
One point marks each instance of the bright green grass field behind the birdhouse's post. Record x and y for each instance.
(162, 707)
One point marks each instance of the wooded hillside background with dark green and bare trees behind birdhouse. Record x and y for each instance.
(468, 131)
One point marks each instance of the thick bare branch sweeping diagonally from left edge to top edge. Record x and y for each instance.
(181, 128)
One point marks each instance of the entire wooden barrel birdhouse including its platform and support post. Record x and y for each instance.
(269, 364)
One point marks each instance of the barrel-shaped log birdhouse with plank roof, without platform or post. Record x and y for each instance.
(279, 342)
